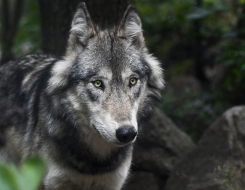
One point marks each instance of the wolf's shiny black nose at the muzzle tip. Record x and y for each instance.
(126, 134)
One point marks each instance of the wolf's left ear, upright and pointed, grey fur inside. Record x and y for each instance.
(82, 28)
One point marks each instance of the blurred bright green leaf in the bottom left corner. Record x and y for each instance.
(27, 177)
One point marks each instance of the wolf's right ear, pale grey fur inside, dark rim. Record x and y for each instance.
(131, 26)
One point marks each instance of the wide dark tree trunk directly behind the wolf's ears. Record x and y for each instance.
(56, 17)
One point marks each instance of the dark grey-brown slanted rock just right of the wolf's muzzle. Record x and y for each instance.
(161, 146)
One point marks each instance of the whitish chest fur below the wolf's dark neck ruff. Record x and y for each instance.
(64, 179)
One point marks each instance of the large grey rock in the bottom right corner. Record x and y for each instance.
(218, 162)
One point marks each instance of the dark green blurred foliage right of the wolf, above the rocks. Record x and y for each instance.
(170, 32)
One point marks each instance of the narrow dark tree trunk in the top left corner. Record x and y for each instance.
(10, 22)
